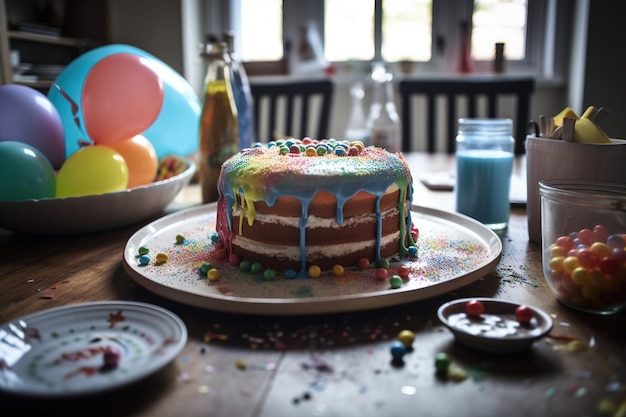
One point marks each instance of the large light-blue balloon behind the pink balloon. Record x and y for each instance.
(175, 131)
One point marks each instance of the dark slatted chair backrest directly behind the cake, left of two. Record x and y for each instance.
(295, 108)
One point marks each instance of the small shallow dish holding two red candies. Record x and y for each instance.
(497, 329)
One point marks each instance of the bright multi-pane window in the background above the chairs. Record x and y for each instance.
(427, 33)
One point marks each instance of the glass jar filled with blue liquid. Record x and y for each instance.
(484, 163)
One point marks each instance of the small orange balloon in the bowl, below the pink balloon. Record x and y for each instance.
(140, 157)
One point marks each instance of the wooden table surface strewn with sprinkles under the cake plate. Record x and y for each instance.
(334, 364)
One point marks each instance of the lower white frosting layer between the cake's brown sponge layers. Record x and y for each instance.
(293, 252)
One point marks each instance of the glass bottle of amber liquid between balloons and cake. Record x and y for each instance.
(219, 130)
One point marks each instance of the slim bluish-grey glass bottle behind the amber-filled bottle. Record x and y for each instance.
(242, 94)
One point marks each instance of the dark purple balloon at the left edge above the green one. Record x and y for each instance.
(28, 116)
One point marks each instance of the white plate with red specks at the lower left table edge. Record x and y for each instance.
(60, 352)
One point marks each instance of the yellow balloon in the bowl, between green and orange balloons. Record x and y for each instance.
(95, 169)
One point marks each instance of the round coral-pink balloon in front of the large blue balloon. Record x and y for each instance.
(122, 96)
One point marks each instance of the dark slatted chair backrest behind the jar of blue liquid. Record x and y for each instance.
(454, 90)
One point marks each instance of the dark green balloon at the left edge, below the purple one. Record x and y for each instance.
(25, 173)
